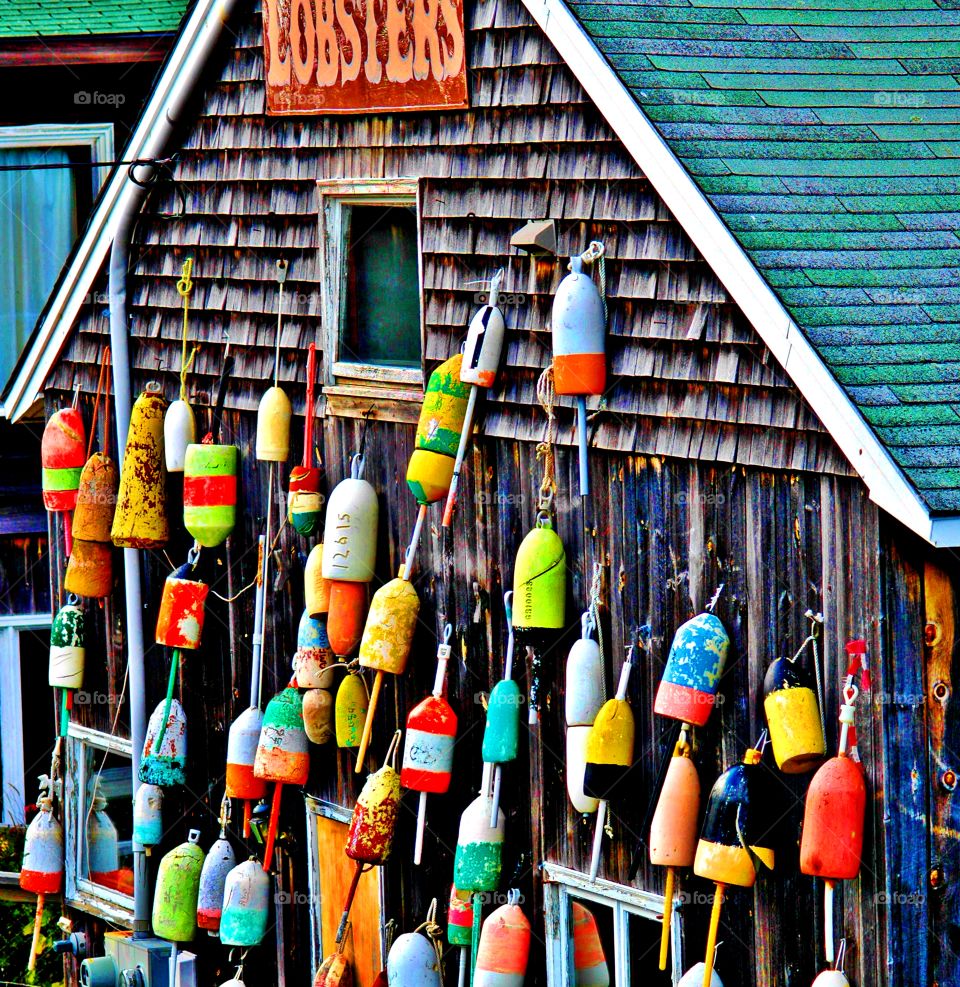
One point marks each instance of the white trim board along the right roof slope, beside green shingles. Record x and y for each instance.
(888, 486)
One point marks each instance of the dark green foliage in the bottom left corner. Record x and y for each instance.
(16, 926)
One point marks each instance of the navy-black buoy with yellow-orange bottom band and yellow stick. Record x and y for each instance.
(735, 835)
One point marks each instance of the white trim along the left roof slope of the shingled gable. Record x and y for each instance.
(149, 140)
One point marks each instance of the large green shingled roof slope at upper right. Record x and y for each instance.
(826, 133)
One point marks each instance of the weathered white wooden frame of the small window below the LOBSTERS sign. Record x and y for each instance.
(335, 196)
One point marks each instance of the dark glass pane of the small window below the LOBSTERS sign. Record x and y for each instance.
(382, 309)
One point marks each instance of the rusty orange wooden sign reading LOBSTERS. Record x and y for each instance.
(363, 56)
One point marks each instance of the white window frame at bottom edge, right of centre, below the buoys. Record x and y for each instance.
(561, 884)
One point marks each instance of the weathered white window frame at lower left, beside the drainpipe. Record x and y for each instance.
(80, 892)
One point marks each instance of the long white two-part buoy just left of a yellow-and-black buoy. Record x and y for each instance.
(584, 699)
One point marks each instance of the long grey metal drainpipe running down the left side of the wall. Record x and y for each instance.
(205, 37)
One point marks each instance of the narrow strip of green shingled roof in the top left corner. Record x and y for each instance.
(71, 18)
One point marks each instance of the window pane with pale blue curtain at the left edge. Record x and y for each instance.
(38, 224)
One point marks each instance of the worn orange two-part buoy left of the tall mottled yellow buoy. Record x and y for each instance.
(90, 566)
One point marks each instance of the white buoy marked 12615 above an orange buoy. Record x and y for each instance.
(350, 532)
